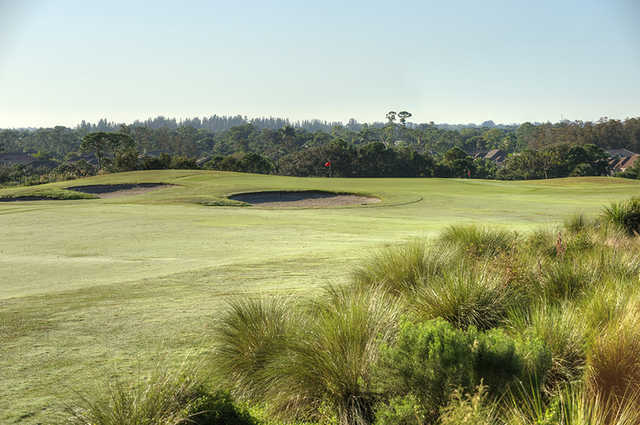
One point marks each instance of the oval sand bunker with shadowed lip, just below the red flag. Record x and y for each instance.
(303, 199)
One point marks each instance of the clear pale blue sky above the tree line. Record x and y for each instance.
(510, 61)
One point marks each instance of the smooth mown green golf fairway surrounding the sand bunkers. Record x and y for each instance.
(92, 288)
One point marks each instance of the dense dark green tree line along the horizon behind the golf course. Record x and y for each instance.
(395, 149)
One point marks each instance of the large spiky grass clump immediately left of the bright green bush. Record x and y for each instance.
(331, 359)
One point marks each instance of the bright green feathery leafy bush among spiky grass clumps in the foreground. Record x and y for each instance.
(428, 360)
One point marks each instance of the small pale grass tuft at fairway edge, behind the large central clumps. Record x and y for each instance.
(478, 241)
